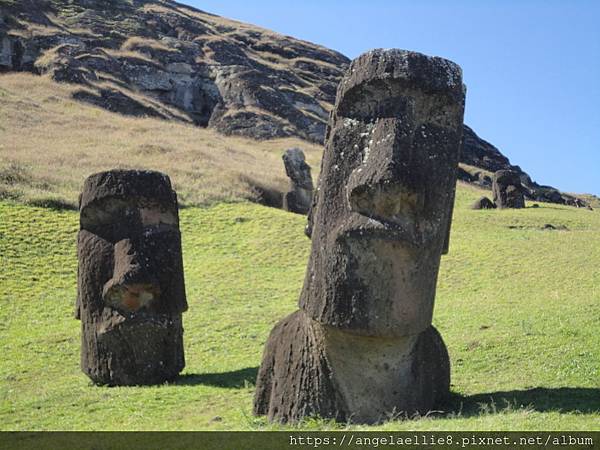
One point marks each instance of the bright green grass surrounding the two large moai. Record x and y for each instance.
(518, 308)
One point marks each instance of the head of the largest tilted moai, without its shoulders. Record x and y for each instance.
(383, 206)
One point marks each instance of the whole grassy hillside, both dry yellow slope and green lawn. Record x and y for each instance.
(518, 305)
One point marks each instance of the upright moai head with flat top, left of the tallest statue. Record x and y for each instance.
(131, 292)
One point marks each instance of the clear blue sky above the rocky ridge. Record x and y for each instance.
(532, 67)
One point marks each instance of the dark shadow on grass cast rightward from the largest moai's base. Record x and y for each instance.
(584, 400)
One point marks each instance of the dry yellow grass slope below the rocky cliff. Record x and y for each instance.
(50, 143)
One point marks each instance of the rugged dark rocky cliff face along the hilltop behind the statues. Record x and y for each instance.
(164, 59)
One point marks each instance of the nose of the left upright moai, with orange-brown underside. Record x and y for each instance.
(133, 285)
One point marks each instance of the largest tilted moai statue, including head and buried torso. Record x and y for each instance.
(362, 347)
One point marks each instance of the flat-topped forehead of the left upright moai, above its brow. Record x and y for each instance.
(123, 184)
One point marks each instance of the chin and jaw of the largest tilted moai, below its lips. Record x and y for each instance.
(382, 286)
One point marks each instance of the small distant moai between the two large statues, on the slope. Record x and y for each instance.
(299, 198)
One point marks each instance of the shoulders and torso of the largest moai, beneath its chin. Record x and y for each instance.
(350, 378)
